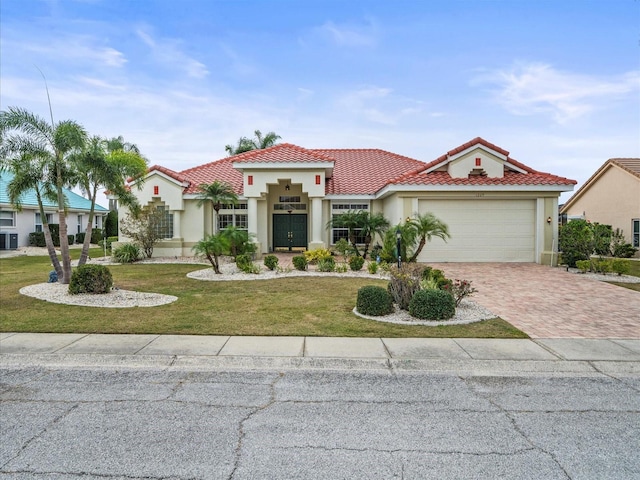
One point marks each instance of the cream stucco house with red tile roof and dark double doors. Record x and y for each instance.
(497, 208)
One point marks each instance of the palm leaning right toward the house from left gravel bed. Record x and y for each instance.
(105, 163)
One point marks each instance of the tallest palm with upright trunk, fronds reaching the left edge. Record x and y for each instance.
(24, 133)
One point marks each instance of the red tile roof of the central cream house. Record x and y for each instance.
(362, 171)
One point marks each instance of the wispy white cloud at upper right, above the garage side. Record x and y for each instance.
(535, 88)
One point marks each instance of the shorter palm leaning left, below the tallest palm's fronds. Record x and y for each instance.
(28, 174)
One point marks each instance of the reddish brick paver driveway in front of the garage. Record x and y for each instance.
(549, 302)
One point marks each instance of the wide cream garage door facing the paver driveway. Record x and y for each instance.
(482, 231)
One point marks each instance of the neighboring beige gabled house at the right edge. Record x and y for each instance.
(611, 197)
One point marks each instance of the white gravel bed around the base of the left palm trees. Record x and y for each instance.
(59, 293)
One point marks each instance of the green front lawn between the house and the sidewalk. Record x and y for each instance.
(311, 306)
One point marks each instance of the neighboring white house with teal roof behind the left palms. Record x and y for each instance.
(15, 226)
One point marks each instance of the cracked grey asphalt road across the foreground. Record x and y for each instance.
(152, 423)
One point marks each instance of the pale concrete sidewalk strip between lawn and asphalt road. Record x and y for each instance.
(436, 354)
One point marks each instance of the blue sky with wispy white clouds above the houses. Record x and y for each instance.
(554, 82)
